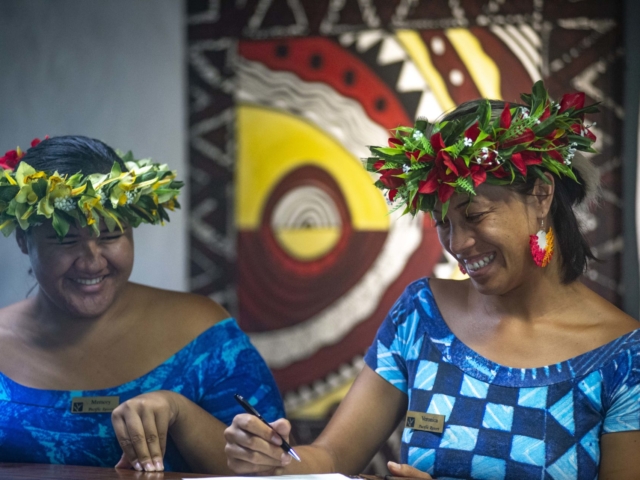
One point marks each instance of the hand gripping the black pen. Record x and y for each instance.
(254, 448)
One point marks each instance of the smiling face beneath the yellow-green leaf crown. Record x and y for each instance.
(81, 275)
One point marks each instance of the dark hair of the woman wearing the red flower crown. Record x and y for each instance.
(574, 249)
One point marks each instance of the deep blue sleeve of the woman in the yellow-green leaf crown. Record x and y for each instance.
(232, 365)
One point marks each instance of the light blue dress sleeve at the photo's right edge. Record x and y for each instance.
(623, 414)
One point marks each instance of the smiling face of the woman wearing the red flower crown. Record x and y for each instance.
(489, 235)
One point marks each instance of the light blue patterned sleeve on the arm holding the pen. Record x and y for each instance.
(391, 348)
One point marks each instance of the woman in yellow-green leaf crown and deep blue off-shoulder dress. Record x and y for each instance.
(94, 369)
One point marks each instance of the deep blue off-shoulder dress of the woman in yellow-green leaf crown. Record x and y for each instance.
(37, 426)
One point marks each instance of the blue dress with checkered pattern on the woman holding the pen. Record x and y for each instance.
(502, 422)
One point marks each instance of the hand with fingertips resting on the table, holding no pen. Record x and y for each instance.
(142, 425)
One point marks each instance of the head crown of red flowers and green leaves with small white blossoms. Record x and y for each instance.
(461, 154)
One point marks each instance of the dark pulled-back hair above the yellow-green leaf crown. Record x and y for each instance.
(71, 154)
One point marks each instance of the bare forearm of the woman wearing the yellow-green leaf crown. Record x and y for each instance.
(198, 435)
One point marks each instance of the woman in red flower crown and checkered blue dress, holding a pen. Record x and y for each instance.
(517, 372)
